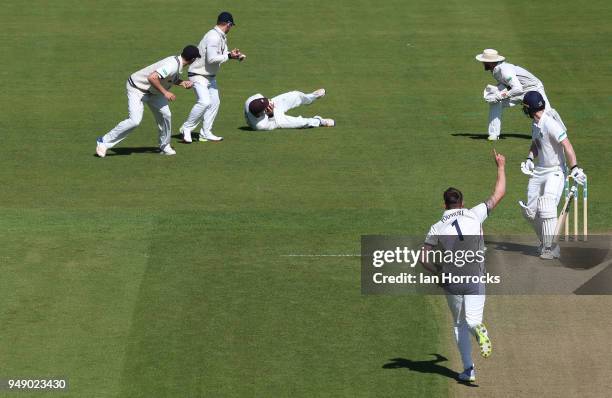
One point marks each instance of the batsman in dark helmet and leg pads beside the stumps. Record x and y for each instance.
(553, 150)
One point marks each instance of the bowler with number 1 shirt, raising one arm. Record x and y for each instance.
(466, 300)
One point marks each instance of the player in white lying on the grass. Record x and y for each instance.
(262, 113)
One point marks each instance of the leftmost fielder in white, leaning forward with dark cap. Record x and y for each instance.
(151, 85)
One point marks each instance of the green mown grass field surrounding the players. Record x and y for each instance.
(139, 275)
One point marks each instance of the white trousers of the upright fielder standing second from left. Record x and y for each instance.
(206, 106)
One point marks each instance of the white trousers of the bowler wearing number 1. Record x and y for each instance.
(467, 311)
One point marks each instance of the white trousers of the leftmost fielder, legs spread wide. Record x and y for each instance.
(136, 100)
